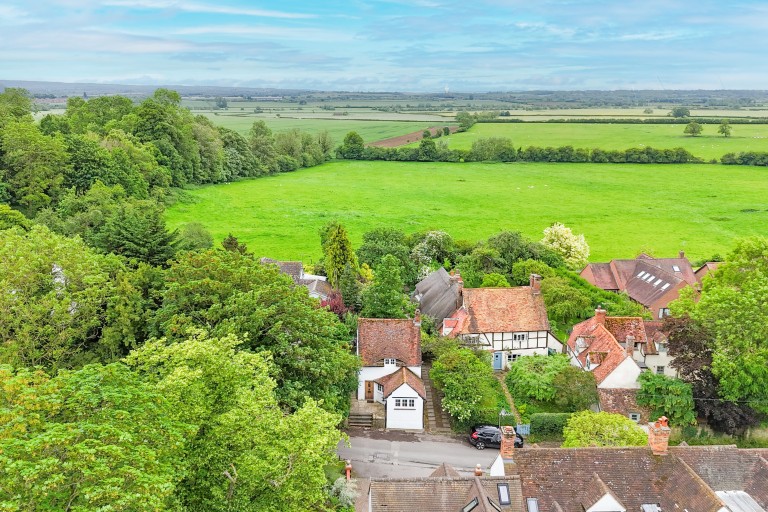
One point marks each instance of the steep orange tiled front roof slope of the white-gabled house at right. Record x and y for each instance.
(600, 343)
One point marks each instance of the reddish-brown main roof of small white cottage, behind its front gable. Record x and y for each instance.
(380, 338)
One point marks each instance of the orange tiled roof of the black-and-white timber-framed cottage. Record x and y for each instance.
(500, 310)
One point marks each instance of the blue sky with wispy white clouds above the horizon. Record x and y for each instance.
(390, 45)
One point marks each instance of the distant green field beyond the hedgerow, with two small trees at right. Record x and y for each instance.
(619, 136)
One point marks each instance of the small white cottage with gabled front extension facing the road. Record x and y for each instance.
(390, 350)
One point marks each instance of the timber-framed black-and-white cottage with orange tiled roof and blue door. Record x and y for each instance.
(510, 322)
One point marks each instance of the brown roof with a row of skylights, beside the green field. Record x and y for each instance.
(634, 276)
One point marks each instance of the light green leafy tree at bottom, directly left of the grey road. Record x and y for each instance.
(244, 453)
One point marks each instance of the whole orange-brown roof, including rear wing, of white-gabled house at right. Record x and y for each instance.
(601, 346)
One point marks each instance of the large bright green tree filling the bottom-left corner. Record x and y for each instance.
(94, 439)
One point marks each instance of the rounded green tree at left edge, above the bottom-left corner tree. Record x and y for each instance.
(62, 304)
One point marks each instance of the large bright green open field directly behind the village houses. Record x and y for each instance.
(621, 209)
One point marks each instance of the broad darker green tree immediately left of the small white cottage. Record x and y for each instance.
(230, 293)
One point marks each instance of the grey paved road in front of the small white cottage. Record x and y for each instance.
(388, 454)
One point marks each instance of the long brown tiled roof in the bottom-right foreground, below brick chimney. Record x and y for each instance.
(633, 475)
